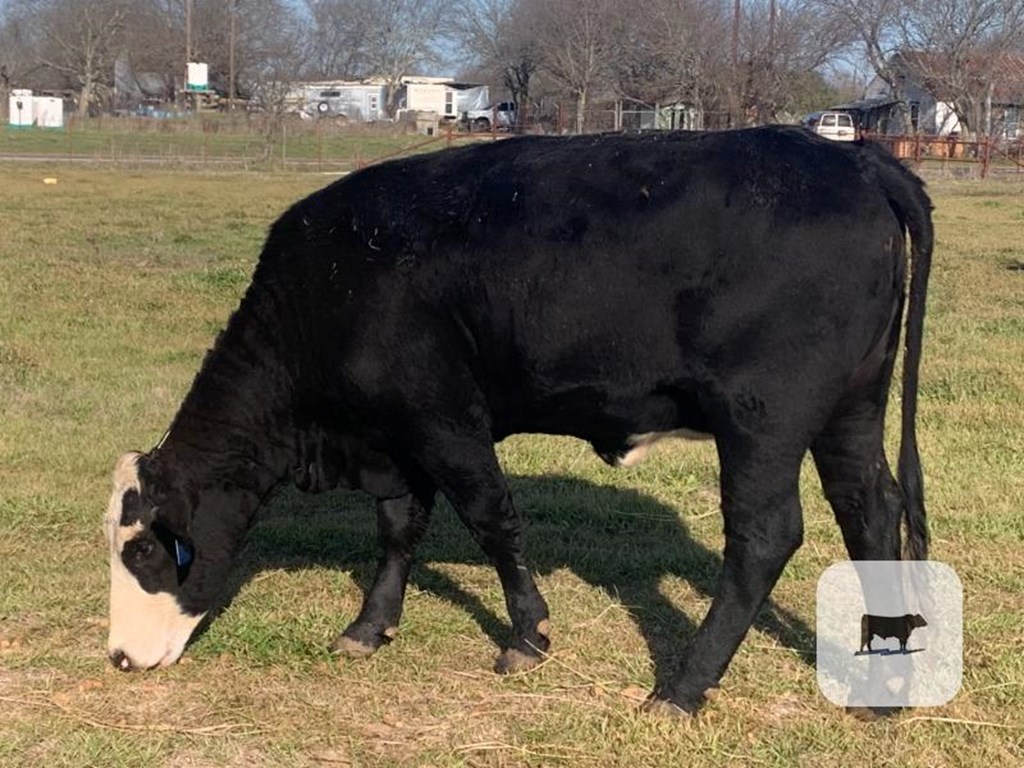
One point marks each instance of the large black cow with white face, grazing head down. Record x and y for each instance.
(746, 286)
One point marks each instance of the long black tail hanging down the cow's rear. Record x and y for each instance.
(908, 198)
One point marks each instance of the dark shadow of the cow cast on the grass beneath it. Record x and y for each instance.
(617, 539)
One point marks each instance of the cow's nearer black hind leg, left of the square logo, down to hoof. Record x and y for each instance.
(763, 529)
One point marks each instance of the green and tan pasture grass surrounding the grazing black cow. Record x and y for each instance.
(112, 286)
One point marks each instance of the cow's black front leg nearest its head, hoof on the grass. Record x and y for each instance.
(401, 525)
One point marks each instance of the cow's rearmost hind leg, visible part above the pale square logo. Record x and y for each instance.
(858, 482)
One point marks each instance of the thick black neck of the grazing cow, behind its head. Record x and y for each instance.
(236, 428)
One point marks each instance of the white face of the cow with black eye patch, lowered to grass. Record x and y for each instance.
(149, 628)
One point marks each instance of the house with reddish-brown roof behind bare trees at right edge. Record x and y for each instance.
(989, 94)
